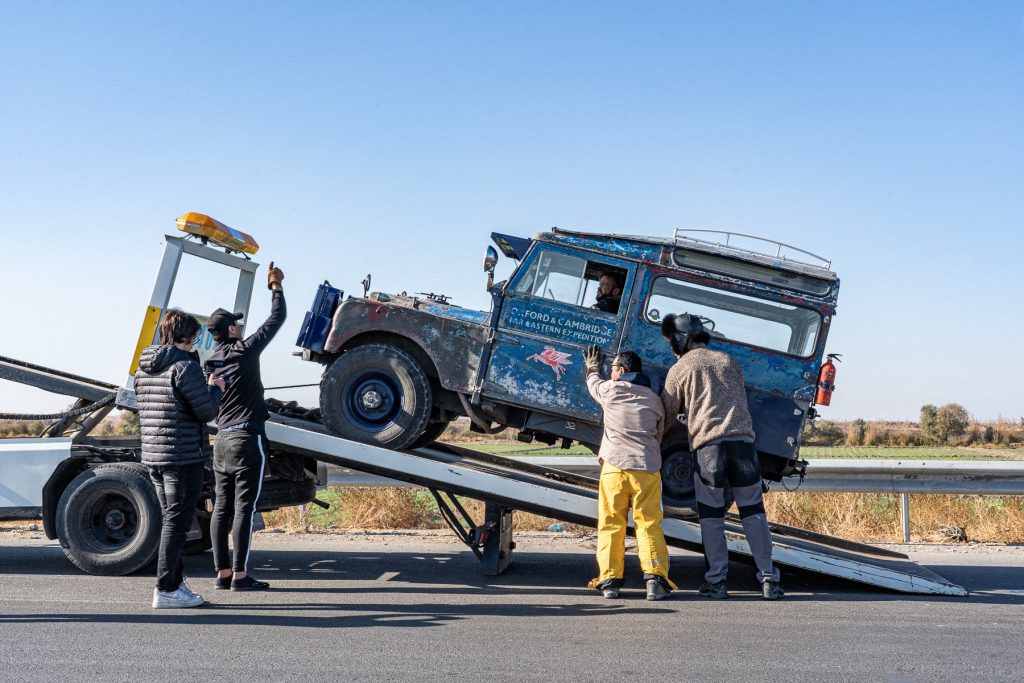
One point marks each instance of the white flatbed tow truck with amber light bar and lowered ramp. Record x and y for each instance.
(96, 498)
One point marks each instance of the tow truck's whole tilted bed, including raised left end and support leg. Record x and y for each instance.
(504, 486)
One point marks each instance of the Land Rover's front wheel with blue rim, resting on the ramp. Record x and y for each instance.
(377, 395)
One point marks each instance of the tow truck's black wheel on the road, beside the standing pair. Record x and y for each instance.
(109, 520)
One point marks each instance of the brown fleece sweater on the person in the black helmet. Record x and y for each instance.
(708, 387)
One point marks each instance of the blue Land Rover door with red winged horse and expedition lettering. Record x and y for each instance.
(547, 321)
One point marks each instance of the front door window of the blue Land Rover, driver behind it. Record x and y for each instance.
(571, 280)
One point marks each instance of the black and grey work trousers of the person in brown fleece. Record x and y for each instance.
(735, 464)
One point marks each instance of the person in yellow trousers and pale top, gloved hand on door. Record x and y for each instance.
(631, 463)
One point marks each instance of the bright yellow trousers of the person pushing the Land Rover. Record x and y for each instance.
(619, 491)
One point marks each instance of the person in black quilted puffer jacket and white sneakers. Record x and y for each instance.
(175, 405)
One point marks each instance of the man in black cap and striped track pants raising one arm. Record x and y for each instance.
(240, 452)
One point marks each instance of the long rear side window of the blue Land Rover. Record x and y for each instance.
(738, 318)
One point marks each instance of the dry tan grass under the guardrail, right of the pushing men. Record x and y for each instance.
(877, 517)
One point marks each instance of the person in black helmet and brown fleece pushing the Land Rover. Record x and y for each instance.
(708, 387)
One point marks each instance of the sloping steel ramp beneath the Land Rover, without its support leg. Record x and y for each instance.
(572, 498)
